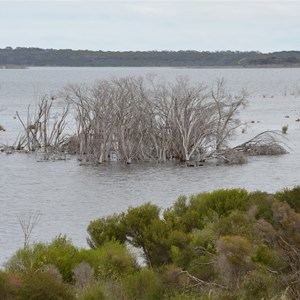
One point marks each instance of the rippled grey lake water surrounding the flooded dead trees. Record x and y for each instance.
(68, 196)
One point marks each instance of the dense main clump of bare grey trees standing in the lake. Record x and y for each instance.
(144, 119)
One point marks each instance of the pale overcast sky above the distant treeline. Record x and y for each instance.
(264, 26)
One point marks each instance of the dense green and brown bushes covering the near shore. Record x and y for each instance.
(226, 244)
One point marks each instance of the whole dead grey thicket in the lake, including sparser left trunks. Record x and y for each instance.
(139, 119)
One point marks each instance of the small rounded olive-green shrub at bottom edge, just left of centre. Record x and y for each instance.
(143, 285)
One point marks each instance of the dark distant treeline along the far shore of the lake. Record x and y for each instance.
(66, 57)
